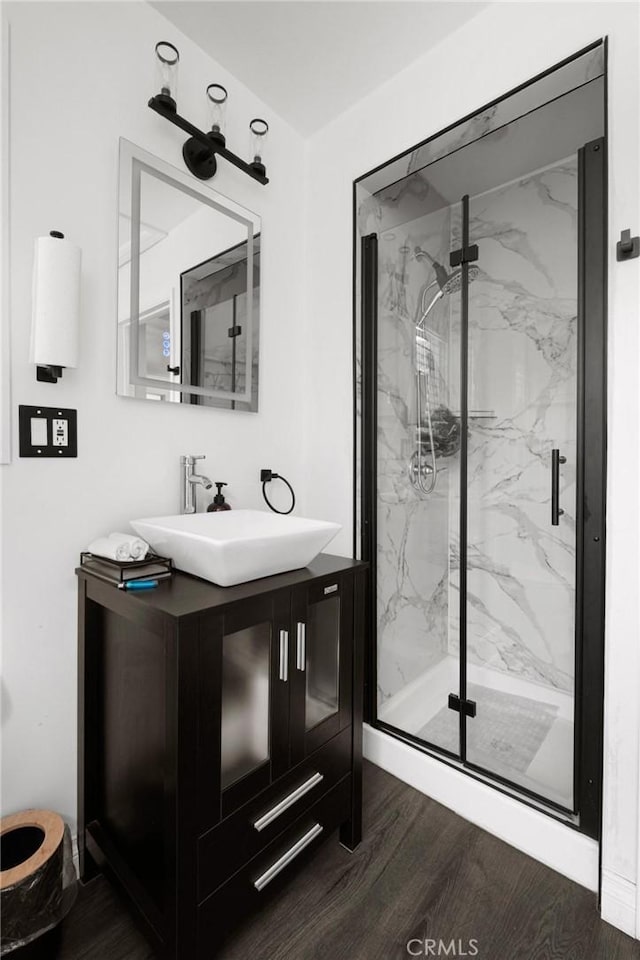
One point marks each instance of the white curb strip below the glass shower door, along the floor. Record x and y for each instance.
(547, 840)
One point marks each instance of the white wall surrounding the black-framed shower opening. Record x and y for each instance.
(503, 46)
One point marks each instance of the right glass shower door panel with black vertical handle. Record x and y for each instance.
(521, 490)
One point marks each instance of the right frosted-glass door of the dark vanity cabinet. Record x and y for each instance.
(323, 626)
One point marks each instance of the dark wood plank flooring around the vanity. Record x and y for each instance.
(420, 872)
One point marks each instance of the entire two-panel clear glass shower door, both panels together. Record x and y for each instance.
(476, 478)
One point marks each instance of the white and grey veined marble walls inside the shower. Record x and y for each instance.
(522, 370)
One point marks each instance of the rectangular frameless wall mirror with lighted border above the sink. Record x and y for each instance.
(188, 289)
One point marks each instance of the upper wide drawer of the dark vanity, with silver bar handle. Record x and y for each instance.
(238, 838)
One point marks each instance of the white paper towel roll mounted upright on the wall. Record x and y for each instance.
(56, 302)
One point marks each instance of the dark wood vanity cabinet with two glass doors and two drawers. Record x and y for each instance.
(220, 740)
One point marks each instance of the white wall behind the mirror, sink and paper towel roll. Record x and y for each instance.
(81, 76)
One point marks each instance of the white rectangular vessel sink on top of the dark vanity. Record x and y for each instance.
(236, 545)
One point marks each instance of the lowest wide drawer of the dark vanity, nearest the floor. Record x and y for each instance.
(271, 869)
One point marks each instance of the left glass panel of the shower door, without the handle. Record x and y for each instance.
(418, 478)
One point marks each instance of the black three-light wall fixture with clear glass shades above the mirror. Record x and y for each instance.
(201, 149)
